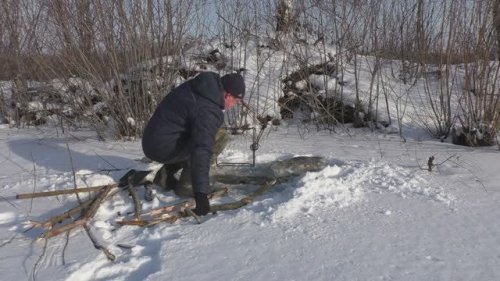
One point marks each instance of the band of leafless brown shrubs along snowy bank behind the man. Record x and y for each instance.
(115, 60)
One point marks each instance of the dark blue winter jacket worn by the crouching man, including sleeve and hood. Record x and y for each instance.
(184, 126)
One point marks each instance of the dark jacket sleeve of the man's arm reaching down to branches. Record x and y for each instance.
(205, 126)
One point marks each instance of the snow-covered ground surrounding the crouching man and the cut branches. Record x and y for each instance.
(375, 213)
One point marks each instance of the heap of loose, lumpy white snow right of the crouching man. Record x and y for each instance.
(338, 187)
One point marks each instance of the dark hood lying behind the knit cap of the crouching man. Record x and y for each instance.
(208, 86)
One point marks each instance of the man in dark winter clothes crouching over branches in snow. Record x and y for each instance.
(184, 132)
